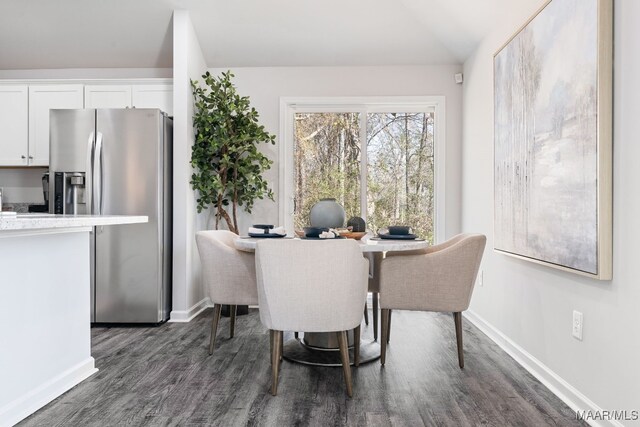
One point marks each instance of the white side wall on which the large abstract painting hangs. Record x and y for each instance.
(532, 305)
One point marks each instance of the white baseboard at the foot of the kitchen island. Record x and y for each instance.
(27, 404)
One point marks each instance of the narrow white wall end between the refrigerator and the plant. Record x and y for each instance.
(188, 64)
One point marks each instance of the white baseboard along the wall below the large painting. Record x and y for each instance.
(558, 386)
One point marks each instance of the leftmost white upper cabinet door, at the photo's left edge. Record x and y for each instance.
(14, 125)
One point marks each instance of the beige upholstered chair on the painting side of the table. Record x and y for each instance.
(438, 278)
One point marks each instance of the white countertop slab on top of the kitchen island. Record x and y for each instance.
(41, 221)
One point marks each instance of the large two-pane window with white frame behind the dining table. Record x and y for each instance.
(381, 160)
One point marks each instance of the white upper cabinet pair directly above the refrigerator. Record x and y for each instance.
(130, 96)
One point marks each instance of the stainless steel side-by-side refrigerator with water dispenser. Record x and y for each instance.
(118, 162)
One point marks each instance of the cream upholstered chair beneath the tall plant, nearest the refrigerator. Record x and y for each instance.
(229, 274)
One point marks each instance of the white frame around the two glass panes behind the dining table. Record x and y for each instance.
(289, 106)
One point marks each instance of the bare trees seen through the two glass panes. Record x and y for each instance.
(400, 164)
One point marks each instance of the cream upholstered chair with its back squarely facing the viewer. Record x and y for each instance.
(311, 286)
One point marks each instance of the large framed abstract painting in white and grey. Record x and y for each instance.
(552, 130)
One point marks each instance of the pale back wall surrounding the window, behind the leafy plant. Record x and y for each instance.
(266, 85)
